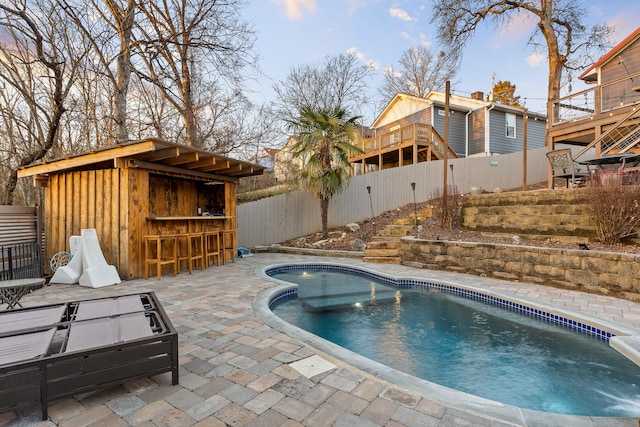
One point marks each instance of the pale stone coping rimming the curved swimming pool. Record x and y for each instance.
(626, 338)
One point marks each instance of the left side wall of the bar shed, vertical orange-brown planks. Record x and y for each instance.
(97, 199)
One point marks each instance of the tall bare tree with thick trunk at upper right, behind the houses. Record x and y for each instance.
(560, 27)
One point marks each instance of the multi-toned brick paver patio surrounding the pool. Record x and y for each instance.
(235, 370)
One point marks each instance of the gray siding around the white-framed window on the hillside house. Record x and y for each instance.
(501, 144)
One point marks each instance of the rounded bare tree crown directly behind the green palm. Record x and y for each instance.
(339, 82)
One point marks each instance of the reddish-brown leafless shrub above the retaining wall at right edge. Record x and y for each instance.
(614, 208)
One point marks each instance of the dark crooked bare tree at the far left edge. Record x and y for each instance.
(38, 65)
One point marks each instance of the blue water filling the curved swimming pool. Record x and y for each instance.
(464, 344)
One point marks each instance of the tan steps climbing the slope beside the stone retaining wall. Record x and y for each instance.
(384, 248)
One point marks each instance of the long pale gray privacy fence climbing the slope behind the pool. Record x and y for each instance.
(287, 216)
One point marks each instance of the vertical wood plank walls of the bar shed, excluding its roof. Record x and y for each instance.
(117, 203)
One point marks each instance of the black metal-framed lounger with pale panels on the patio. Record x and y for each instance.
(55, 351)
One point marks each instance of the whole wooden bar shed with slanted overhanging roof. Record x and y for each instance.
(131, 190)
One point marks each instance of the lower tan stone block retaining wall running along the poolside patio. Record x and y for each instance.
(607, 273)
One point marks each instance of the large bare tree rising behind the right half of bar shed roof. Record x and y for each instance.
(184, 43)
